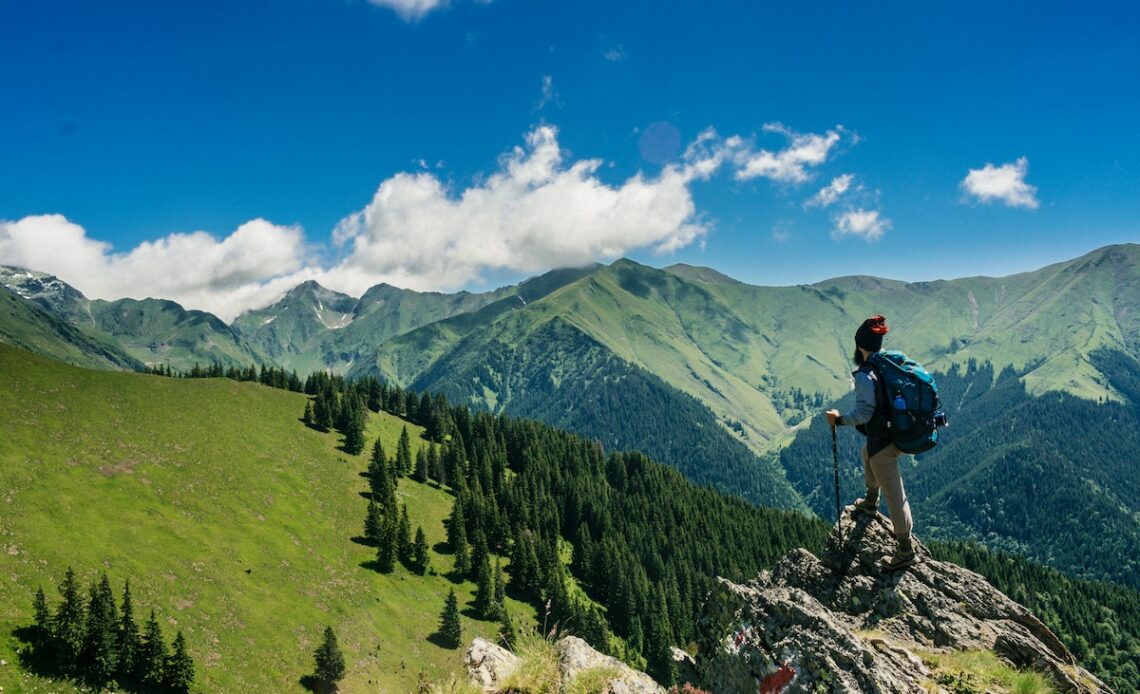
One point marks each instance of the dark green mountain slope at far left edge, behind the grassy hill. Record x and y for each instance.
(26, 325)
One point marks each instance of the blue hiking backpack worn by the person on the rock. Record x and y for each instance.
(913, 406)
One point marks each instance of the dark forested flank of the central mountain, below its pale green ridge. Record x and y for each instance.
(615, 403)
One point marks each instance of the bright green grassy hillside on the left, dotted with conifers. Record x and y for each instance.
(183, 486)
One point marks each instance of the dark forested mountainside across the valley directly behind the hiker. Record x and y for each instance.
(1052, 478)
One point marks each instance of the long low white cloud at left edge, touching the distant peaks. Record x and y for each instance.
(251, 267)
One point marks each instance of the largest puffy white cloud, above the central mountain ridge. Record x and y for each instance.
(536, 213)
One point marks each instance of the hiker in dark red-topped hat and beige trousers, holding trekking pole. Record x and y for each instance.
(881, 456)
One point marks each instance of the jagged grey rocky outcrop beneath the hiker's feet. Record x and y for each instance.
(842, 624)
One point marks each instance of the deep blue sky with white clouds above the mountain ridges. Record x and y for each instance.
(216, 153)
